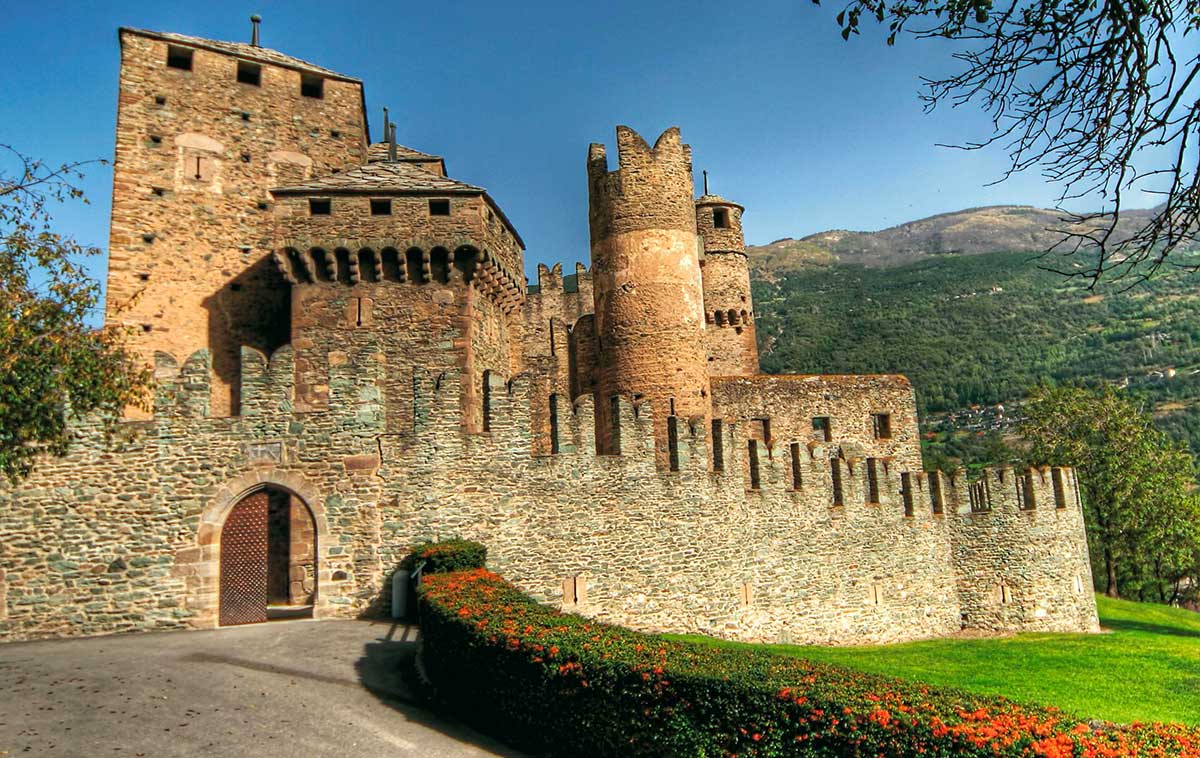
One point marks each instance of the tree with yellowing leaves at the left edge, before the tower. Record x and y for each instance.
(53, 365)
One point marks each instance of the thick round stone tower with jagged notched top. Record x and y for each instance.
(650, 305)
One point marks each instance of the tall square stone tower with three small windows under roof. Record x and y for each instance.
(205, 130)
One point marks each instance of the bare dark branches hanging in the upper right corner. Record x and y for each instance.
(1079, 89)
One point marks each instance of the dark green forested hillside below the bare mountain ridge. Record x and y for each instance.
(977, 332)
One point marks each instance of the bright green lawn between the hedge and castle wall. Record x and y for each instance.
(1148, 669)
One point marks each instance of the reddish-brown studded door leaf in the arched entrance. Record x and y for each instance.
(244, 562)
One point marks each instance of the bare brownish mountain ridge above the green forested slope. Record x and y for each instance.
(971, 232)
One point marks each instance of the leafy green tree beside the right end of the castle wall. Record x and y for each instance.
(1143, 519)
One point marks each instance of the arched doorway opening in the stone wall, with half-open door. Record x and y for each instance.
(268, 560)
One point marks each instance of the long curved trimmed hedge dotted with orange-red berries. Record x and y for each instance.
(569, 687)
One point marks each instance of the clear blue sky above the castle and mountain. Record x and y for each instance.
(809, 133)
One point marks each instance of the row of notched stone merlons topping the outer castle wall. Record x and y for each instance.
(770, 472)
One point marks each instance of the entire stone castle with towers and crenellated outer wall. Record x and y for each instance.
(349, 362)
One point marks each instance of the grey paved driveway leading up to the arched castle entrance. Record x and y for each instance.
(289, 689)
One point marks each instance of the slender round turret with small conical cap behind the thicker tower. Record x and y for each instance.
(729, 308)
